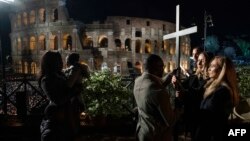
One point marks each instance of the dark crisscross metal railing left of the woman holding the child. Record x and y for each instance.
(20, 93)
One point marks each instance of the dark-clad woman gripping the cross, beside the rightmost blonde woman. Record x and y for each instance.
(191, 91)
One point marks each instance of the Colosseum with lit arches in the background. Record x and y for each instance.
(41, 25)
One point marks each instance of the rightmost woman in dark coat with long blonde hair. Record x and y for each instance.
(221, 95)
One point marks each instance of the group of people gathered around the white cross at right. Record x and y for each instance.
(202, 101)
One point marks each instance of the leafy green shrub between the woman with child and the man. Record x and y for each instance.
(105, 94)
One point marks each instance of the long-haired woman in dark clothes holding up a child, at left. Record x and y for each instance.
(55, 125)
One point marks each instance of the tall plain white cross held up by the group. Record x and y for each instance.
(179, 33)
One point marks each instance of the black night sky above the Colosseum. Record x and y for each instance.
(229, 17)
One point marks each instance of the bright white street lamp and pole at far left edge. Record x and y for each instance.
(3, 65)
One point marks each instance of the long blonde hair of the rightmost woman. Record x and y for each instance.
(227, 77)
